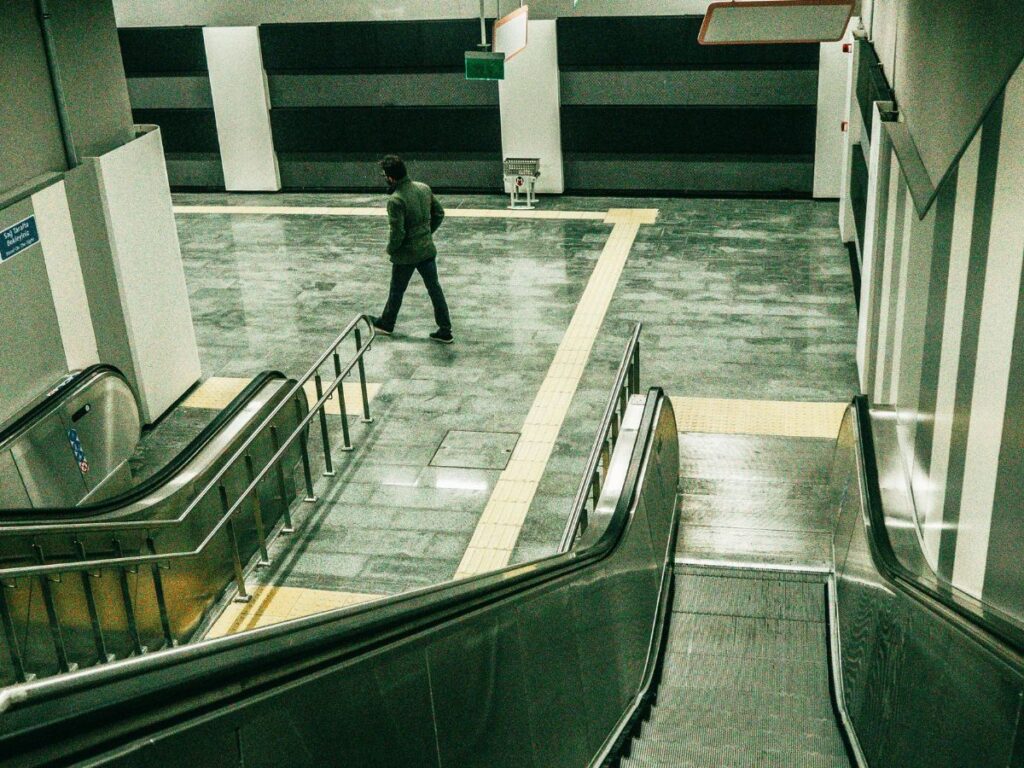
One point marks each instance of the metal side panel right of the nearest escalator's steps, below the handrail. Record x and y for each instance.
(919, 689)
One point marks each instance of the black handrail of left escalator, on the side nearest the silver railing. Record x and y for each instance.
(32, 516)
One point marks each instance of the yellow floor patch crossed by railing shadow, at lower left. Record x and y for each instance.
(275, 605)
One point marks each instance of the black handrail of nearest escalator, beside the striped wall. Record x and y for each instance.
(985, 623)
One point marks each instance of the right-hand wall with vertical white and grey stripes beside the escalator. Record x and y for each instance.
(943, 344)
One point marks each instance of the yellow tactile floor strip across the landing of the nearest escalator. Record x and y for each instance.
(784, 418)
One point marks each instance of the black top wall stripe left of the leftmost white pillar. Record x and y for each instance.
(163, 51)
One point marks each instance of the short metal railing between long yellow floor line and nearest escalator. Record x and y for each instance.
(627, 383)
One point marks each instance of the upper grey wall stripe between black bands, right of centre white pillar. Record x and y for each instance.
(692, 88)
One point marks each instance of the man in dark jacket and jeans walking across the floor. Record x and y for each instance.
(414, 216)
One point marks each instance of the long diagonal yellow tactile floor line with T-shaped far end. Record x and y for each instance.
(499, 527)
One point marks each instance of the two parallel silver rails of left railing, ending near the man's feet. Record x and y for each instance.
(212, 486)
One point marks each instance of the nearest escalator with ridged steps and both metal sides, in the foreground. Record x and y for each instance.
(607, 654)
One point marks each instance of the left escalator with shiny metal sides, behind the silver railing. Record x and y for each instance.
(69, 495)
